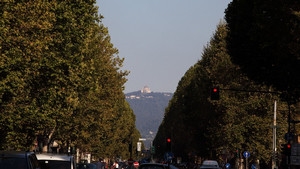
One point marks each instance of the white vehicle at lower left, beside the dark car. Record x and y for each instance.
(56, 161)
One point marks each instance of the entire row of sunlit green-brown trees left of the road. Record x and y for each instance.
(60, 79)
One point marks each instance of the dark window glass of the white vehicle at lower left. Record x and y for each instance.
(53, 164)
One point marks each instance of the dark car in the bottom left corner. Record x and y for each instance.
(18, 160)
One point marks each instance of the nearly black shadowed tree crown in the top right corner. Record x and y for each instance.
(263, 40)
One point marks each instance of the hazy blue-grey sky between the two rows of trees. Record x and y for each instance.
(160, 39)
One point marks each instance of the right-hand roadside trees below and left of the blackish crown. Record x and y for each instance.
(209, 128)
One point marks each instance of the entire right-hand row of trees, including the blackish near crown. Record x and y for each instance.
(262, 40)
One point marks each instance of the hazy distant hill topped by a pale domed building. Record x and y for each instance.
(149, 108)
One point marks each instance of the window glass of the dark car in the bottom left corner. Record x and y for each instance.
(12, 163)
